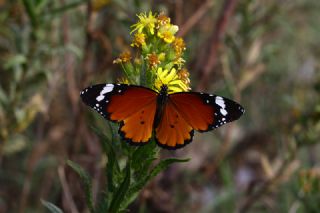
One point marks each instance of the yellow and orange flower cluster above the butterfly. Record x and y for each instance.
(159, 59)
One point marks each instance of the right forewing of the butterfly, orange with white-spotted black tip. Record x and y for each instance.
(205, 112)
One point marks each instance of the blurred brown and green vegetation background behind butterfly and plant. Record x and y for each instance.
(264, 54)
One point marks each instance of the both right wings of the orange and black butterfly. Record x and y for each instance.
(188, 111)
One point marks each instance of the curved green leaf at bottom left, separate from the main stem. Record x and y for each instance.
(86, 182)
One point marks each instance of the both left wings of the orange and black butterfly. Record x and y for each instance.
(133, 106)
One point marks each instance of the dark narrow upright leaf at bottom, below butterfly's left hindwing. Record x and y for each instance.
(119, 195)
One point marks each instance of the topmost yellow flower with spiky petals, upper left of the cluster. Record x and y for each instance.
(145, 21)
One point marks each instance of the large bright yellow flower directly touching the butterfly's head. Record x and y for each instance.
(171, 79)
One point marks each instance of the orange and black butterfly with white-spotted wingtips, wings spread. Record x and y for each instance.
(171, 117)
